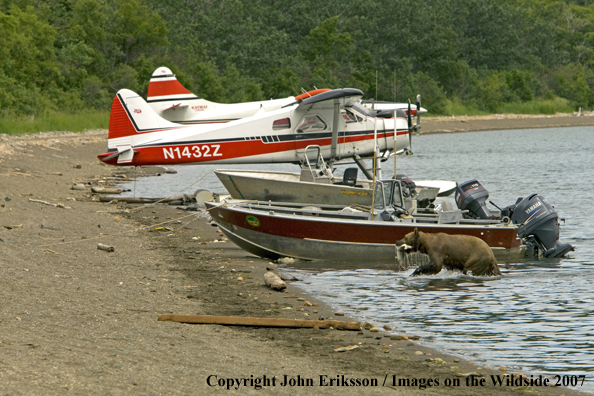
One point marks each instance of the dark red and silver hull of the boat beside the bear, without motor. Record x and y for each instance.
(272, 231)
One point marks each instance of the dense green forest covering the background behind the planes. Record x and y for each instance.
(484, 55)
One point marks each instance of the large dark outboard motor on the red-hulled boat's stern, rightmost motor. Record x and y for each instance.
(538, 218)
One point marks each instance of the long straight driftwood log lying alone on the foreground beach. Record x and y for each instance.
(260, 322)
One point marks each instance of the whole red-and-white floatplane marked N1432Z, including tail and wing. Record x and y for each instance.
(334, 120)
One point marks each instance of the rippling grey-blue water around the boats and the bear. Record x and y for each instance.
(538, 317)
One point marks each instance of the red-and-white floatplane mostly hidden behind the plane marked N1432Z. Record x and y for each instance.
(172, 101)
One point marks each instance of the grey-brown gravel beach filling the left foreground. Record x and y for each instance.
(83, 320)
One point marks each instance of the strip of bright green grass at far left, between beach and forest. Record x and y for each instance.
(53, 122)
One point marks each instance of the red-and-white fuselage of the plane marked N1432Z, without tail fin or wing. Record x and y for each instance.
(279, 136)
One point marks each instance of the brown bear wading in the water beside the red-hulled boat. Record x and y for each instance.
(461, 252)
